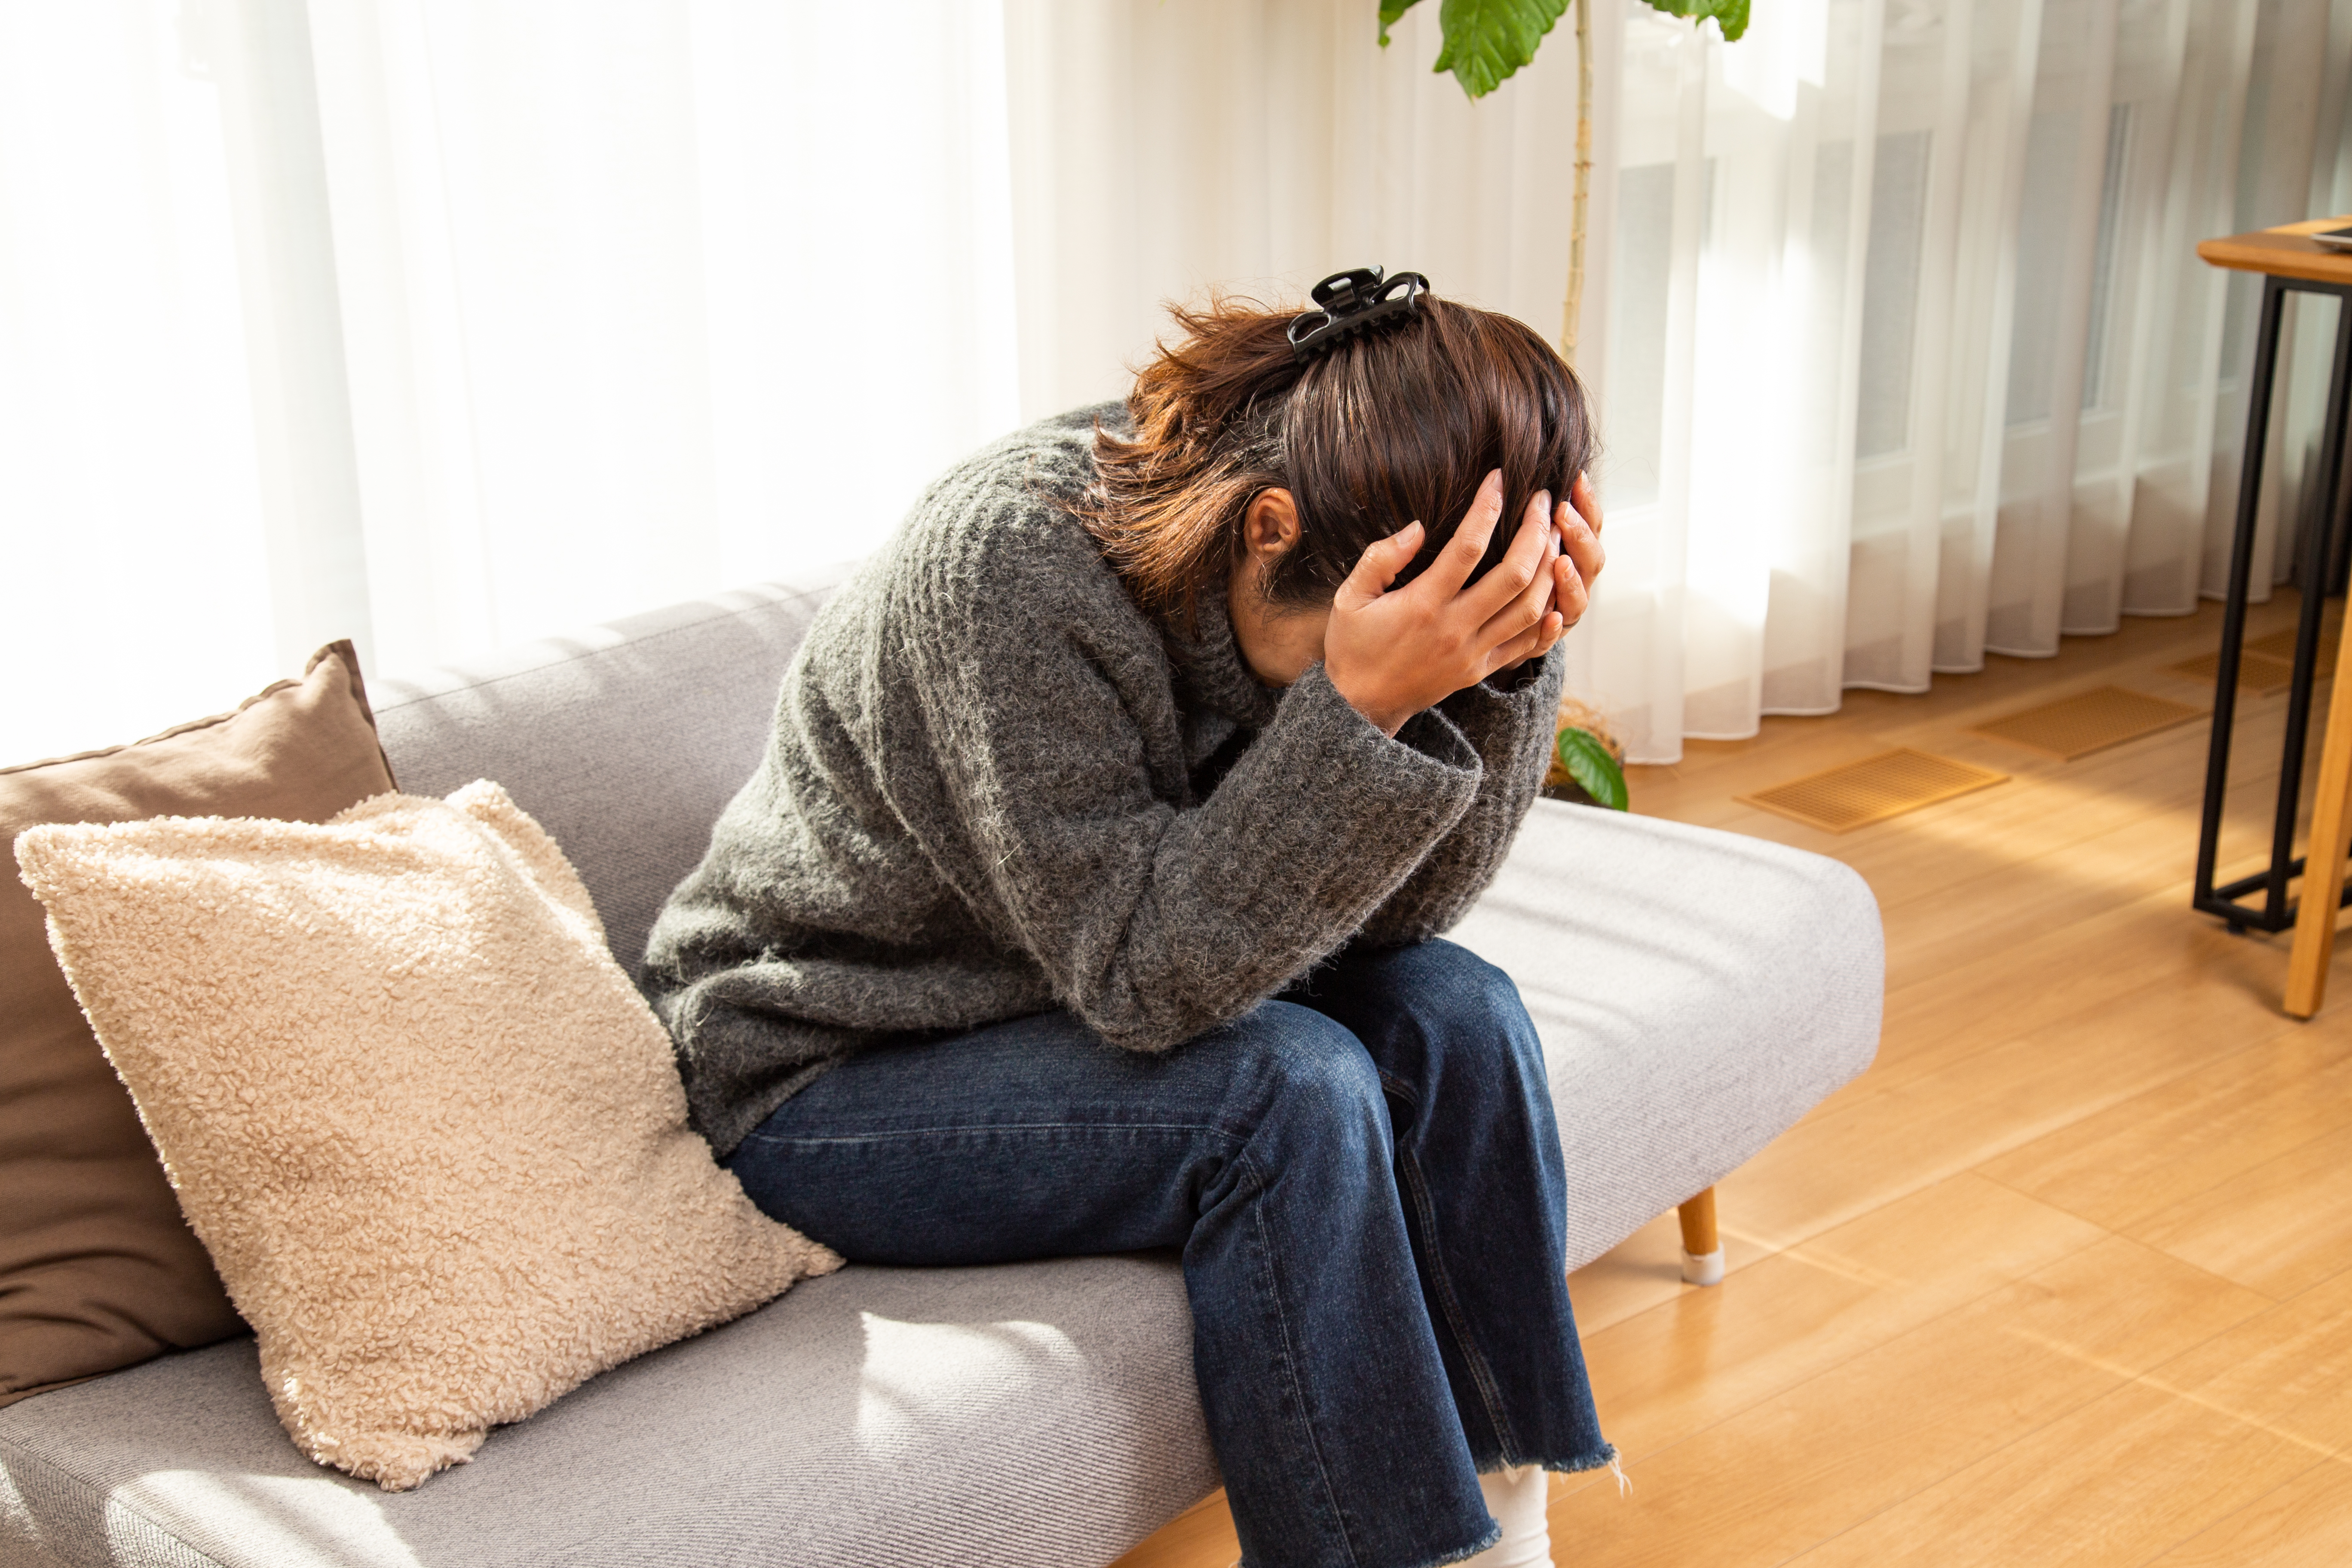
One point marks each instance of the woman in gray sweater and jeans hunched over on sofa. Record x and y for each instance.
(1090, 894)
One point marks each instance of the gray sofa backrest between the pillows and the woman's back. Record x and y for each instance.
(622, 742)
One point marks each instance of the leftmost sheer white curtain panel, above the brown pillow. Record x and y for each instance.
(133, 551)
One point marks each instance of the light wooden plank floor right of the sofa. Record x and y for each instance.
(2066, 1278)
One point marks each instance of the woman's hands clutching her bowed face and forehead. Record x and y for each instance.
(1394, 655)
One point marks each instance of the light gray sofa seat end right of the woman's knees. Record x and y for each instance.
(1697, 993)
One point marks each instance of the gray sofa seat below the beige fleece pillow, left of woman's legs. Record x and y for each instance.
(1034, 1416)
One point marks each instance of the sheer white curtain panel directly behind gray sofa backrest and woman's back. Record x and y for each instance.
(653, 300)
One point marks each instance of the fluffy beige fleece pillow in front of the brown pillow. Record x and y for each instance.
(427, 1127)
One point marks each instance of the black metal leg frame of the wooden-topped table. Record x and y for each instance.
(2313, 572)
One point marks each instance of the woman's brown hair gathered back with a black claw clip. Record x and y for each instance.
(1387, 429)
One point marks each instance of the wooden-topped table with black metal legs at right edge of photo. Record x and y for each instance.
(2290, 264)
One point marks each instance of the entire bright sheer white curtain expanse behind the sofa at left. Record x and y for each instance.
(448, 323)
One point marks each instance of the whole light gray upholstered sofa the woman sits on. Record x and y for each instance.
(1697, 996)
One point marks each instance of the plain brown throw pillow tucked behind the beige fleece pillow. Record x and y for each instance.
(98, 1266)
